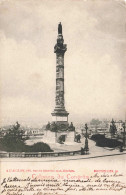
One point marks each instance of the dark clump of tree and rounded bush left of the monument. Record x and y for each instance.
(14, 141)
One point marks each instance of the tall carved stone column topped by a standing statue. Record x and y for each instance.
(59, 113)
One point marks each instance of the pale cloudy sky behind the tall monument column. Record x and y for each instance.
(95, 61)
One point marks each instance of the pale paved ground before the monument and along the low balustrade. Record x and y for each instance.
(94, 152)
